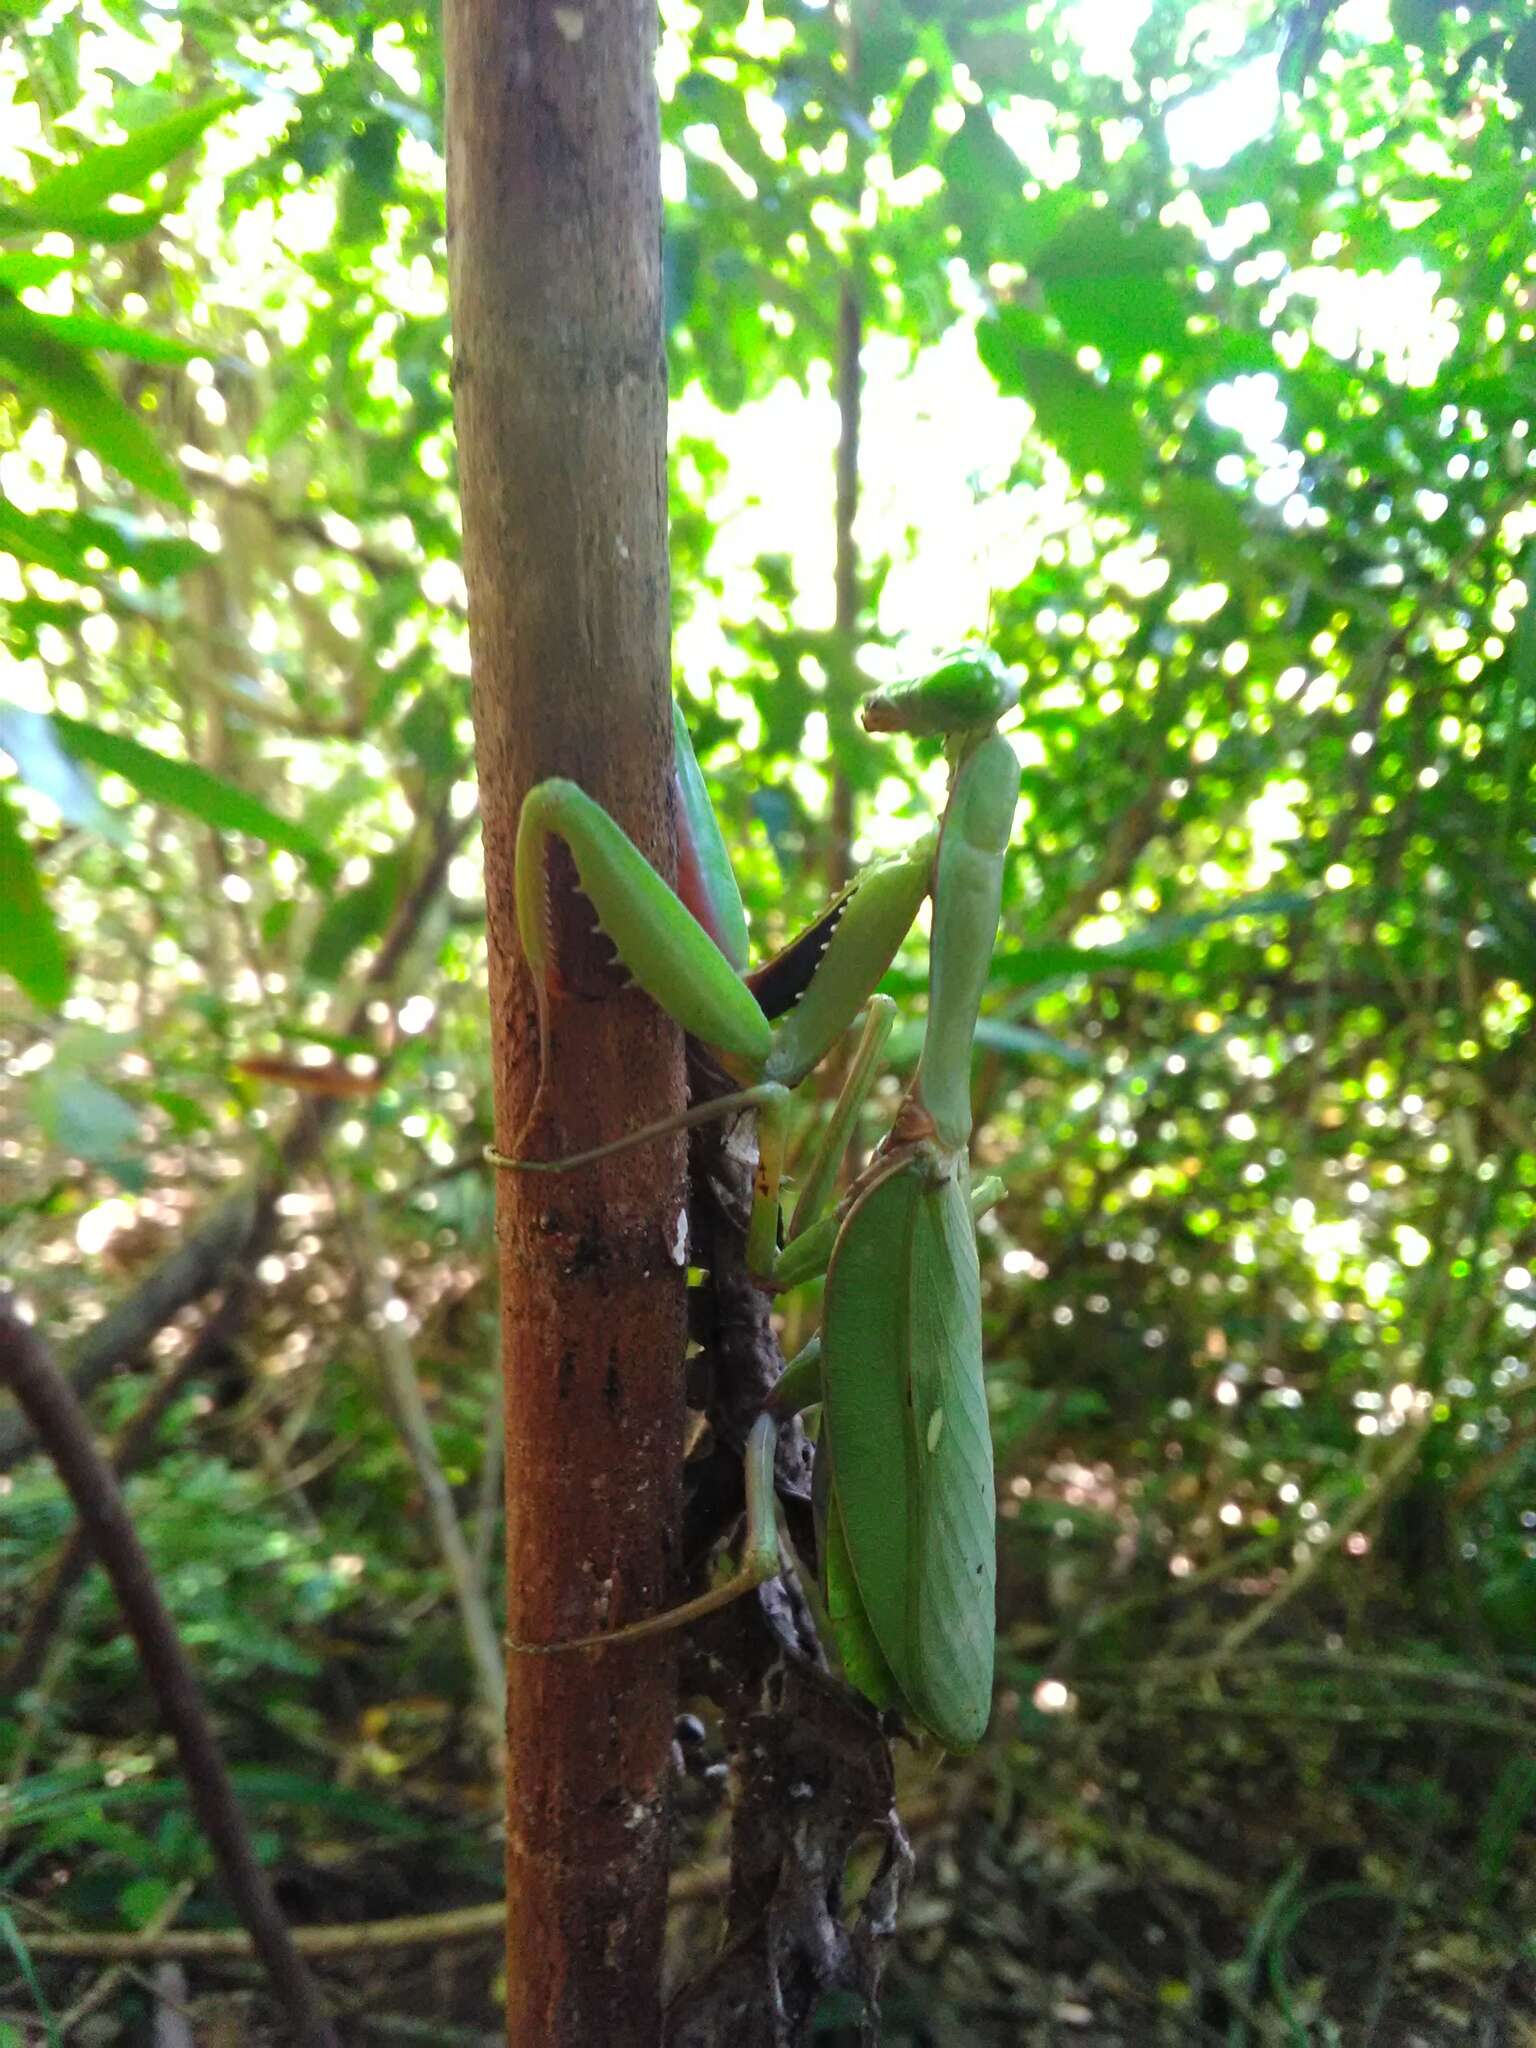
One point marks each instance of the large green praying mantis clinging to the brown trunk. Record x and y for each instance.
(904, 1482)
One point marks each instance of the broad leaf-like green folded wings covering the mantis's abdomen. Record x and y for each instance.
(910, 1500)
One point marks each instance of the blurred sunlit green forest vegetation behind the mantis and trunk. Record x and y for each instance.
(1197, 370)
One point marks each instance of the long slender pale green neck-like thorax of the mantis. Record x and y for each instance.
(968, 902)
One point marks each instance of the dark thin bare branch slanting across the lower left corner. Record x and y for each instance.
(62, 1426)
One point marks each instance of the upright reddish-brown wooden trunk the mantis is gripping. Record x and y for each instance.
(560, 400)
